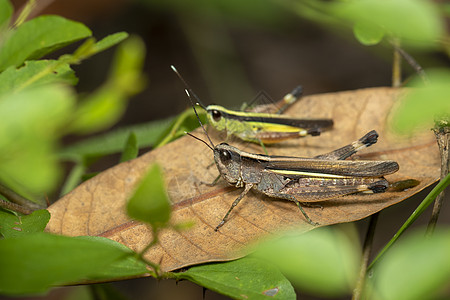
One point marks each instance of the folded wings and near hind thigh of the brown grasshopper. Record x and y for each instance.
(310, 180)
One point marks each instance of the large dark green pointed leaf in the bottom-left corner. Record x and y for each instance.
(35, 262)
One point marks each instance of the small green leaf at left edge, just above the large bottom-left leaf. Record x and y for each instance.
(15, 226)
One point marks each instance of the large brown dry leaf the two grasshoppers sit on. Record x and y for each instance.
(97, 207)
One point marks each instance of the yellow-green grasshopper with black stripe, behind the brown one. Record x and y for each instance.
(262, 127)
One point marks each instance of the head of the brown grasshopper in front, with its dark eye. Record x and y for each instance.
(228, 162)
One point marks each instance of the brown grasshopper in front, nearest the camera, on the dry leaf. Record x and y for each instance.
(297, 179)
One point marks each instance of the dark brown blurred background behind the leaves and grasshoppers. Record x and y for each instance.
(229, 51)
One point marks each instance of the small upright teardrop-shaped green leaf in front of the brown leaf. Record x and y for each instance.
(150, 202)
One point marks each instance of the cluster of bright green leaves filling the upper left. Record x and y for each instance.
(38, 106)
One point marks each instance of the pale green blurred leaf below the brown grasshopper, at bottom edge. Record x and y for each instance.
(323, 261)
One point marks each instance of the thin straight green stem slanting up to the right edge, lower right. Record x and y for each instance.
(419, 210)
